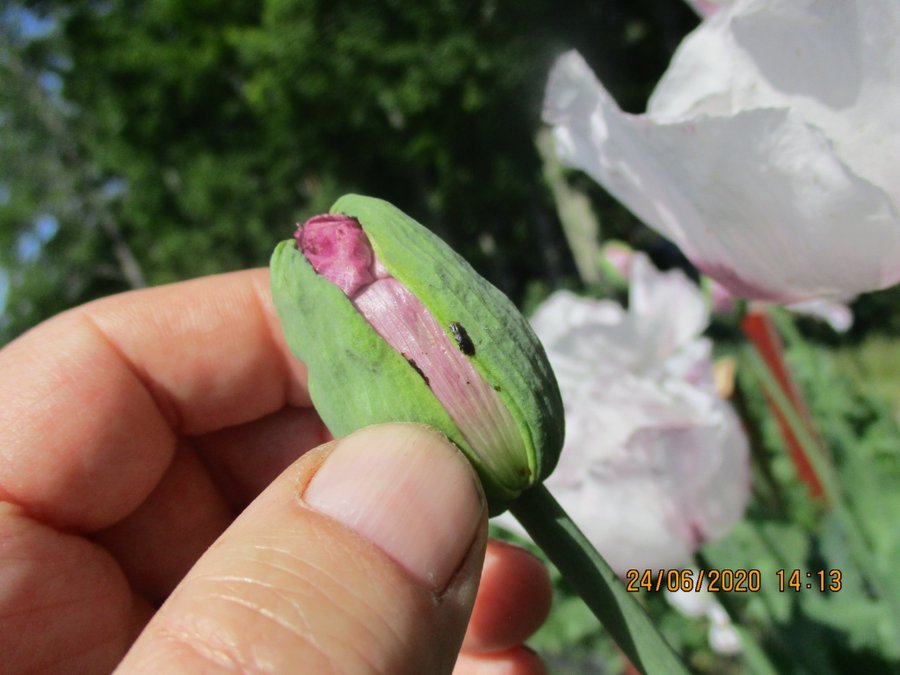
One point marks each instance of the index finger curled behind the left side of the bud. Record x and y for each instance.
(96, 397)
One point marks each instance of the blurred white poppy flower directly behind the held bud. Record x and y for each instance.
(655, 462)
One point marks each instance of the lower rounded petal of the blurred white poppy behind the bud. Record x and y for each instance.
(650, 475)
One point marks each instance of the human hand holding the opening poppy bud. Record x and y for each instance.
(133, 432)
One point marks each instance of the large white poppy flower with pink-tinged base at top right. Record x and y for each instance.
(769, 149)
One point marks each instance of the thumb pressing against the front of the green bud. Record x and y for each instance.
(363, 557)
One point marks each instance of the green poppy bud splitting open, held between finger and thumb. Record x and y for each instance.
(395, 326)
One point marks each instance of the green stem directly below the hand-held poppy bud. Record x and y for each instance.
(594, 580)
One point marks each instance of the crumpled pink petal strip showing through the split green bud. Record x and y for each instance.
(406, 324)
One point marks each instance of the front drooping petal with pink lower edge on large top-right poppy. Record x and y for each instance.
(758, 201)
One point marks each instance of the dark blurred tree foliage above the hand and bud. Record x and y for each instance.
(167, 139)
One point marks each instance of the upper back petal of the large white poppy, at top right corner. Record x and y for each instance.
(834, 65)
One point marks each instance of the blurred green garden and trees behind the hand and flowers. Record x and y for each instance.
(148, 142)
